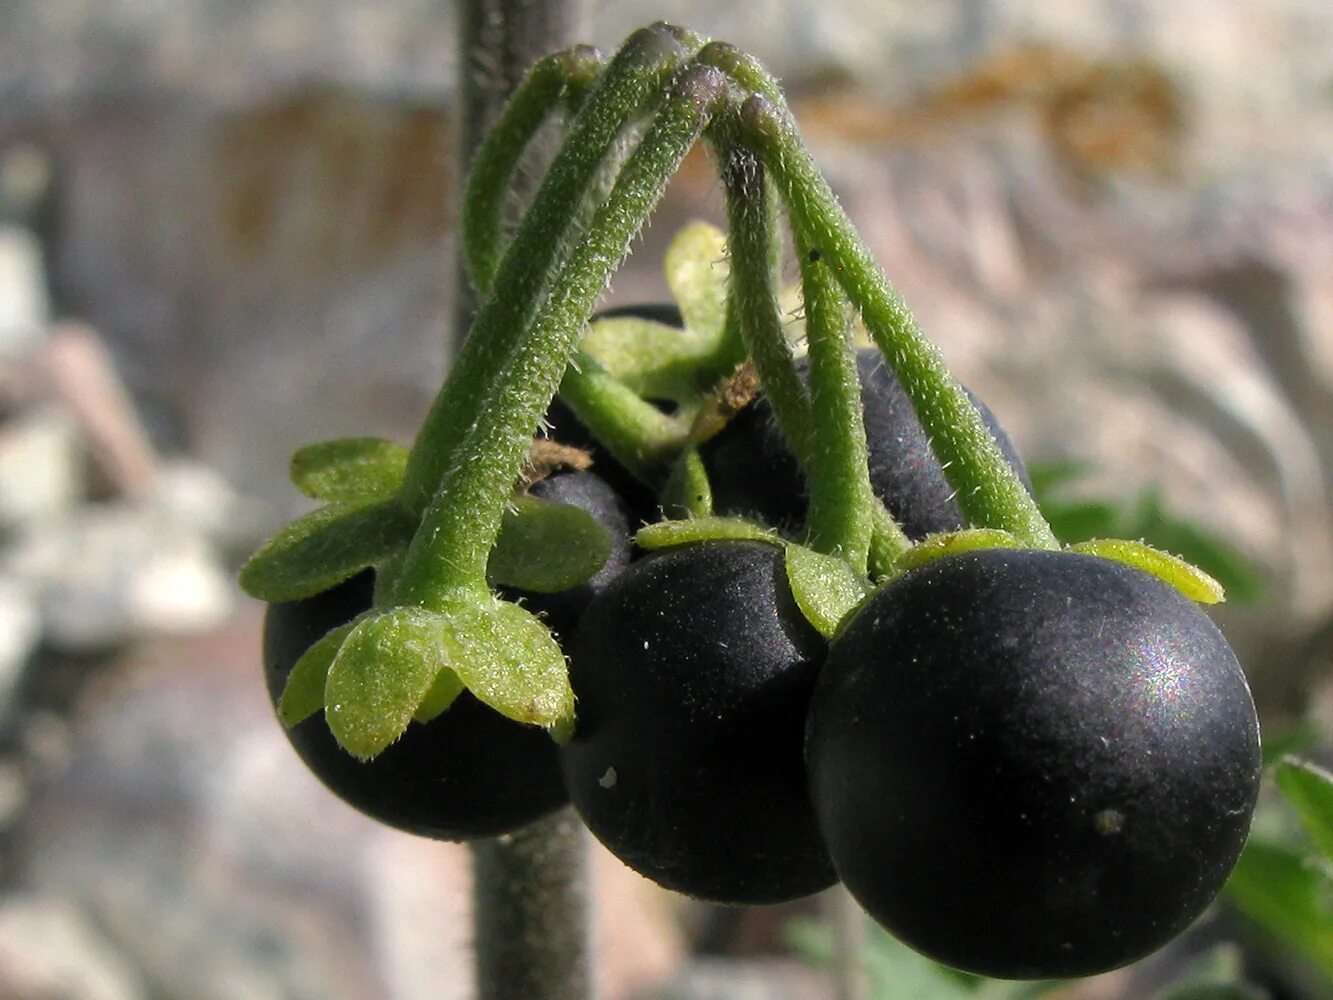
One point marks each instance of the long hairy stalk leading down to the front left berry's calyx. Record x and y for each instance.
(449, 555)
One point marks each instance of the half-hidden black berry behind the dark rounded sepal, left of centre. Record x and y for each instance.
(593, 495)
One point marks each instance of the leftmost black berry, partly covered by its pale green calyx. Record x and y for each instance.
(467, 774)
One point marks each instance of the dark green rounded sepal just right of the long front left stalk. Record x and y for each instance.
(547, 547)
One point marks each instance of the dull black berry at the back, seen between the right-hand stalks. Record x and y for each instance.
(754, 473)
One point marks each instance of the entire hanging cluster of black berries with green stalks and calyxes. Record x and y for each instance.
(846, 647)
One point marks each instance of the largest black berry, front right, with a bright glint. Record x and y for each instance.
(1032, 765)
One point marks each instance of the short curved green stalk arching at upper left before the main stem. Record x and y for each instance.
(558, 79)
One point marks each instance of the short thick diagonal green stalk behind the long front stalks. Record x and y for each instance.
(638, 435)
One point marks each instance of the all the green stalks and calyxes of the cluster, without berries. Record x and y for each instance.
(442, 523)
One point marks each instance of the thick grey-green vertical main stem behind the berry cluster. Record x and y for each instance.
(530, 889)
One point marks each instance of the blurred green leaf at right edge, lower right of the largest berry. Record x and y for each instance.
(1286, 898)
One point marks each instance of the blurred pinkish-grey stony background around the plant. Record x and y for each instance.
(226, 230)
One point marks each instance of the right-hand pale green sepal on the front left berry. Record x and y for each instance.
(507, 658)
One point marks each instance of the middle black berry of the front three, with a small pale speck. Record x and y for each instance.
(694, 671)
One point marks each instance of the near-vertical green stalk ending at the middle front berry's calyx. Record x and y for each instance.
(839, 521)
